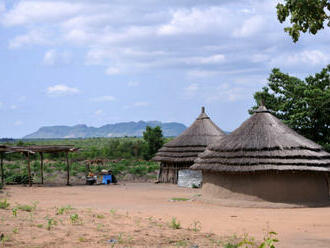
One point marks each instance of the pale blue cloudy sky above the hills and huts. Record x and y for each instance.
(96, 62)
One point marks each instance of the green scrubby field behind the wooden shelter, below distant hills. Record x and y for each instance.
(124, 156)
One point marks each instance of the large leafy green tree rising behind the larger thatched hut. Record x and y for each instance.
(304, 105)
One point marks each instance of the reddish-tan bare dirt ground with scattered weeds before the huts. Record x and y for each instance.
(137, 215)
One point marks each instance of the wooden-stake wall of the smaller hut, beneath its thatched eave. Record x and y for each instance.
(168, 172)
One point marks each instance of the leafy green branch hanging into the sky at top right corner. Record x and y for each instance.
(305, 15)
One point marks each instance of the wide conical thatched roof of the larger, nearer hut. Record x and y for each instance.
(263, 142)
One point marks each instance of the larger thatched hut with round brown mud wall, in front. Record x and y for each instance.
(265, 159)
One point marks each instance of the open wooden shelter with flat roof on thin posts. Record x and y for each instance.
(28, 150)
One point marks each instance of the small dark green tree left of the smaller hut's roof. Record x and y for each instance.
(154, 140)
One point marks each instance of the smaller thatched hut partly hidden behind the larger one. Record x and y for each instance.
(181, 152)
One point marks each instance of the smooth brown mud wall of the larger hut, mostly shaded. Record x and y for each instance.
(270, 186)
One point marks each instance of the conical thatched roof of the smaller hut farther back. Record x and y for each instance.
(187, 146)
